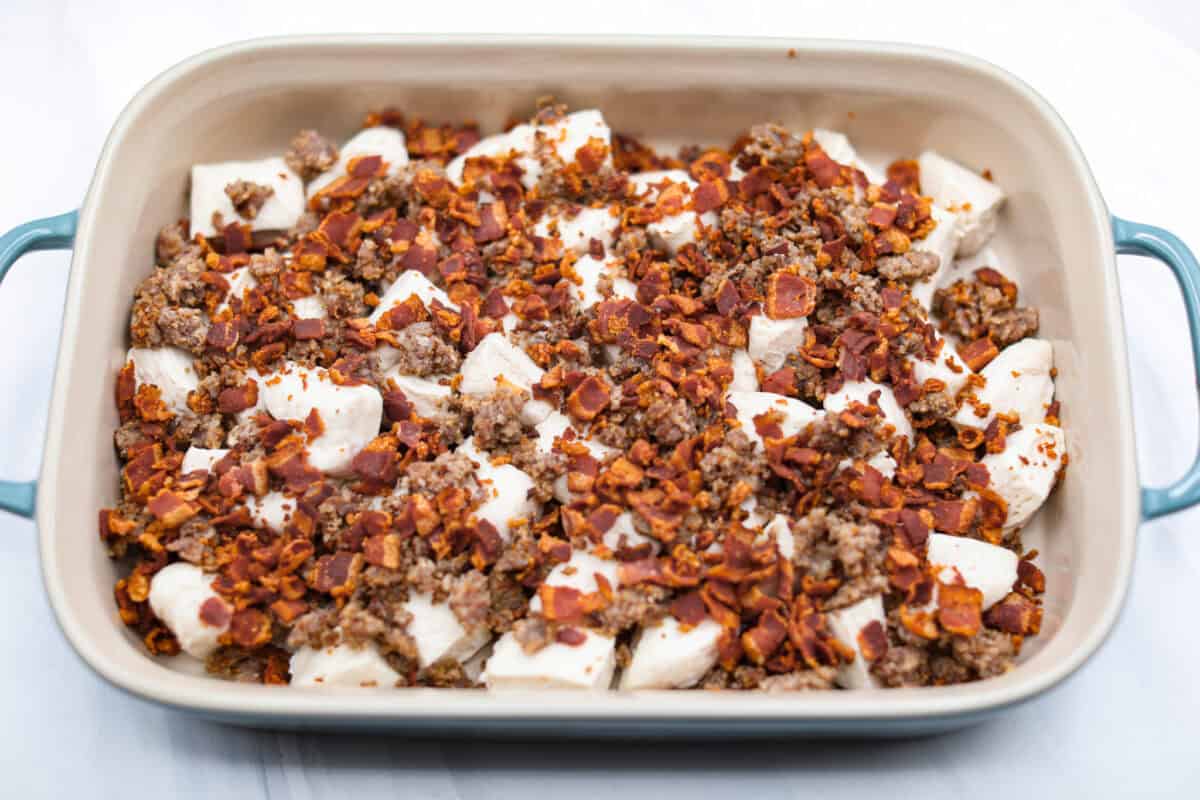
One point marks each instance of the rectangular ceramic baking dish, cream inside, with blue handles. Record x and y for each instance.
(245, 101)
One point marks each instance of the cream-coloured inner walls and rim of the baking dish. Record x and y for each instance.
(248, 103)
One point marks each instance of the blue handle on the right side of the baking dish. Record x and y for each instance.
(1138, 239)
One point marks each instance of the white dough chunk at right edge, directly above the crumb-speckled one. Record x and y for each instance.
(1018, 383)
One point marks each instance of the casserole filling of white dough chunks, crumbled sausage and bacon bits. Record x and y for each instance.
(548, 410)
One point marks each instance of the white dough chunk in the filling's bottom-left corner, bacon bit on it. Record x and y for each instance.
(178, 596)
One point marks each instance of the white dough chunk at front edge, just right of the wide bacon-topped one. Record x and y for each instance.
(670, 658)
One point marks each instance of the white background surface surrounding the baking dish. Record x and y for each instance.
(1129, 724)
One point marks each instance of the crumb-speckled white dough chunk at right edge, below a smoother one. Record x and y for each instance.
(1024, 473)
